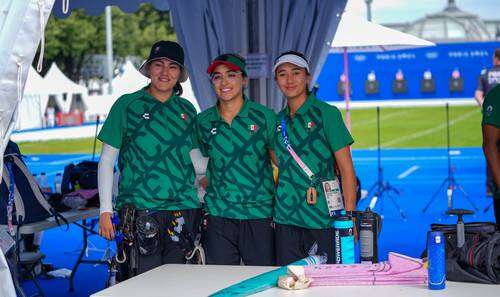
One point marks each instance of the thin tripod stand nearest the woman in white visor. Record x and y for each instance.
(383, 187)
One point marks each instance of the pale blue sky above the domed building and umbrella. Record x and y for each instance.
(391, 11)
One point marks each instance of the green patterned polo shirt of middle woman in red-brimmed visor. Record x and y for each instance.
(239, 170)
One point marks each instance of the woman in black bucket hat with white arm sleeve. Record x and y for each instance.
(151, 132)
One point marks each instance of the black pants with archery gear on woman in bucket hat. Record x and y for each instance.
(170, 249)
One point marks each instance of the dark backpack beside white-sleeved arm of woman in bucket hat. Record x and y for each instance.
(80, 176)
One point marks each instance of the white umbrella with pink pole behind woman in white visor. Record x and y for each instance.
(355, 34)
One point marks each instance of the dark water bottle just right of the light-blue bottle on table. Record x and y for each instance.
(368, 236)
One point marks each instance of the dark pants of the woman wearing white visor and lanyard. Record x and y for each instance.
(294, 243)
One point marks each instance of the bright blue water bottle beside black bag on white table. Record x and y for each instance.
(437, 265)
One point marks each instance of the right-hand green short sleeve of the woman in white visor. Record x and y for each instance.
(336, 132)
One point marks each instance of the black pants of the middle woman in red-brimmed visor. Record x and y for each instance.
(230, 241)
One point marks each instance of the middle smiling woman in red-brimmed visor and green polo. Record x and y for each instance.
(237, 135)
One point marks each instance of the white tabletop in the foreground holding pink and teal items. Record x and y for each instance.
(198, 280)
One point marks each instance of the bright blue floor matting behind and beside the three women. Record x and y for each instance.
(416, 173)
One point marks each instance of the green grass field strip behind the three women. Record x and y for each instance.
(400, 127)
